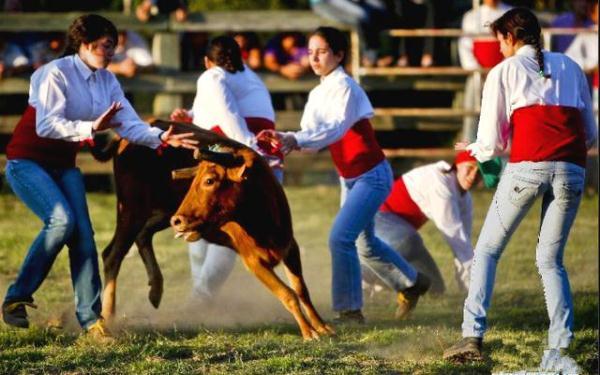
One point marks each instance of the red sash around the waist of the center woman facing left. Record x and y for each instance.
(357, 151)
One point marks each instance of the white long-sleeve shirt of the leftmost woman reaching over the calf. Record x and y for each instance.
(68, 97)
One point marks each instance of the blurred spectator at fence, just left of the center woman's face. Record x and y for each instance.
(287, 54)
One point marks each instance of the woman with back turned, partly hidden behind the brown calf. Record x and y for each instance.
(233, 101)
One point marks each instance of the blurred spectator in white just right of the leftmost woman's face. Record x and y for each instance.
(131, 55)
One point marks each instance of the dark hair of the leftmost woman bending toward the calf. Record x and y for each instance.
(86, 29)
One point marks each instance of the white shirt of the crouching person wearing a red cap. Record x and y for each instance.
(437, 195)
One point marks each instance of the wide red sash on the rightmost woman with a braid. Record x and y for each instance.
(548, 133)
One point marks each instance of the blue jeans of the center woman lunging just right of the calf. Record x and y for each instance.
(361, 198)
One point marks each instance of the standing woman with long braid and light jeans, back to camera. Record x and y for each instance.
(538, 102)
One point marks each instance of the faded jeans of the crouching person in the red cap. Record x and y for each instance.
(401, 236)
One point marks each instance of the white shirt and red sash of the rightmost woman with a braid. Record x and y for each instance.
(540, 119)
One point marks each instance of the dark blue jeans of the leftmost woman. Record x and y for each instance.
(57, 197)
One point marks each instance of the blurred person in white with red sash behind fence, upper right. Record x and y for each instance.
(478, 52)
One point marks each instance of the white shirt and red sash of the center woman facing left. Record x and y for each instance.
(337, 116)
